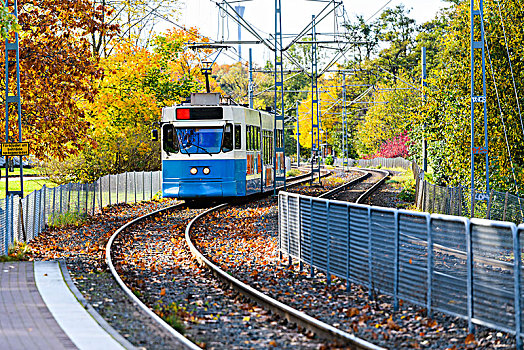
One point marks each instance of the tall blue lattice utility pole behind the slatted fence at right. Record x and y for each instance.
(477, 44)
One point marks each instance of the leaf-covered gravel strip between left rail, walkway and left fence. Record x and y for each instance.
(83, 249)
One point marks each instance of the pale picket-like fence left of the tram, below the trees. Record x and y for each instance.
(22, 219)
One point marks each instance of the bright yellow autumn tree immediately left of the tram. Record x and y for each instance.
(136, 84)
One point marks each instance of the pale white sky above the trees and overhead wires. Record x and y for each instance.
(296, 14)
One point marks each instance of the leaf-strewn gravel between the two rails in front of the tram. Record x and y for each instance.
(154, 261)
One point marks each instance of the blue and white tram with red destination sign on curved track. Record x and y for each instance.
(217, 151)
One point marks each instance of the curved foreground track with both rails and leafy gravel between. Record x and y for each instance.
(155, 267)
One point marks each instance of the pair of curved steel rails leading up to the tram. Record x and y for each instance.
(300, 318)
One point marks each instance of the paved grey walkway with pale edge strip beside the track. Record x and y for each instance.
(37, 309)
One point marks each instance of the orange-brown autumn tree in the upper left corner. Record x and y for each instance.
(56, 71)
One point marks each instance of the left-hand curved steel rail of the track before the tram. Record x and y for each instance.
(186, 343)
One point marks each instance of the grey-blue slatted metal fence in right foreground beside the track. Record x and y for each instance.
(471, 269)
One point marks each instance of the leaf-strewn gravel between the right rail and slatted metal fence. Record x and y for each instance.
(244, 243)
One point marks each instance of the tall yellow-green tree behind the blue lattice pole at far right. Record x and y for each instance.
(447, 111)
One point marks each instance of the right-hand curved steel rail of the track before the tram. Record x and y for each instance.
(298, 317)
